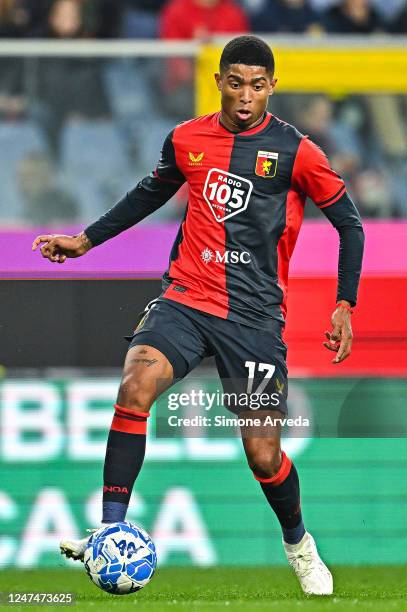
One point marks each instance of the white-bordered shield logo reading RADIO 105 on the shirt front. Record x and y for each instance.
(226, 194)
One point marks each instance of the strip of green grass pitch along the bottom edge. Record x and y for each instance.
(238, 588)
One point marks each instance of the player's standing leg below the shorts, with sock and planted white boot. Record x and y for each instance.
(279, 481)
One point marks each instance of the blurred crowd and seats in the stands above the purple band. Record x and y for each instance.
(53, 128)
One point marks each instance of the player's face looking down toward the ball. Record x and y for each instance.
(245, 91)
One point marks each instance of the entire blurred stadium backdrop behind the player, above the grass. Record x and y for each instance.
(88, 91)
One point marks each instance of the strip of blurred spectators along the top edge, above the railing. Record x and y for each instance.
(166, 18)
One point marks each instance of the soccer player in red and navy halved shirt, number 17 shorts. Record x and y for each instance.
(224, 293)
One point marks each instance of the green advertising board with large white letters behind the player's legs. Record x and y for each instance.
(195, 494)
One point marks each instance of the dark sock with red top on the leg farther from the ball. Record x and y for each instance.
(283, 494)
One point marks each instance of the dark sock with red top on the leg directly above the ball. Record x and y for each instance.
(124, 457)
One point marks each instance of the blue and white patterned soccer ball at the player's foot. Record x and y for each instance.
(120, 558)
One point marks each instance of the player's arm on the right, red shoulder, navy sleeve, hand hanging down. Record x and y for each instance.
(313, 175)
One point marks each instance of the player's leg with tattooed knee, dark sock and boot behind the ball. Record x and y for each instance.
(146, 374)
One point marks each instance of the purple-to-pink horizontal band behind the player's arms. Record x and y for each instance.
(143, 251)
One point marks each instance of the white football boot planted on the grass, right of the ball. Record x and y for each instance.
(314, 576)
